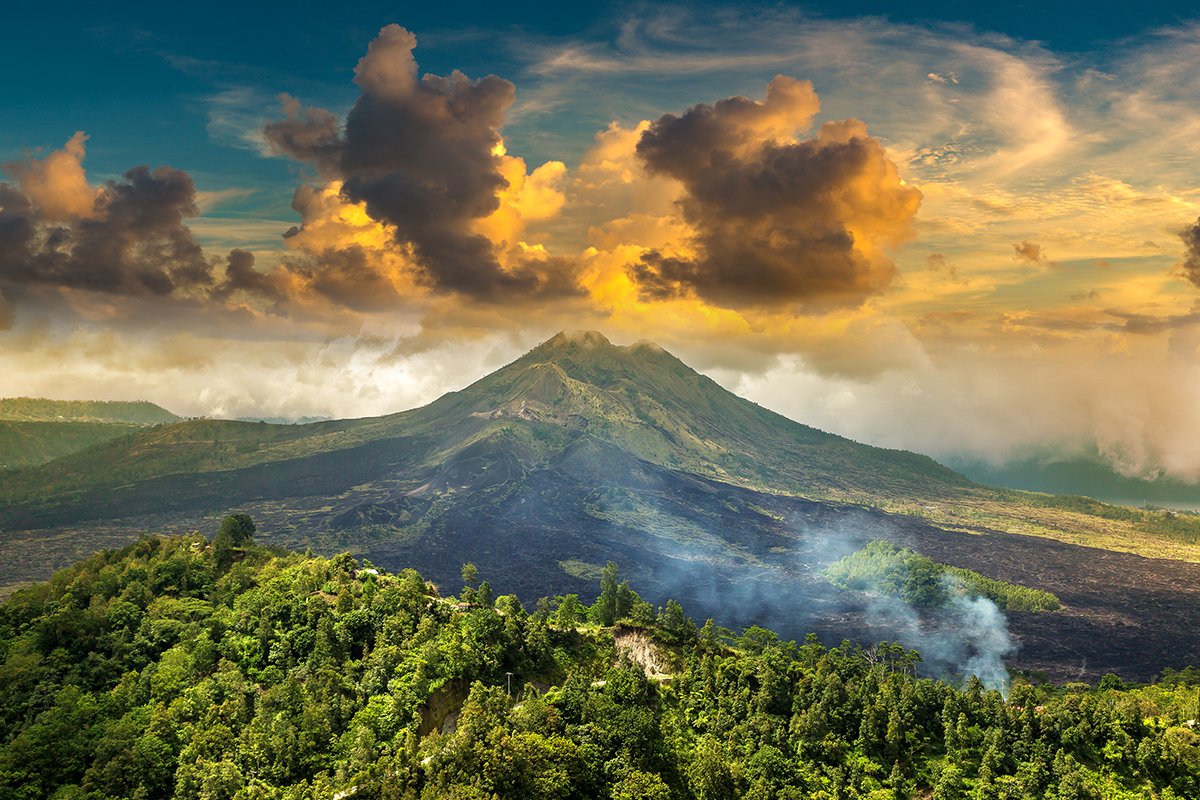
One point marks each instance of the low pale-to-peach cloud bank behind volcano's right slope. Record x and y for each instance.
(995, 405)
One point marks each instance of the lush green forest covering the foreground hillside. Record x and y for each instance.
(218, 669)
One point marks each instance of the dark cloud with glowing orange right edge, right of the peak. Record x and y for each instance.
(777, 221)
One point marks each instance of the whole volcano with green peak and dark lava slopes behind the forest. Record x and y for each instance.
(583, 453)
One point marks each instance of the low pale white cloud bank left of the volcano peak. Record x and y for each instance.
(196, 374)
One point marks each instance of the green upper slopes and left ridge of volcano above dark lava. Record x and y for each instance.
(638, 396)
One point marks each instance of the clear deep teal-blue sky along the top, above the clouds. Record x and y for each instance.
(139, 76)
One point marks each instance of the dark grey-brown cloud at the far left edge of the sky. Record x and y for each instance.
(134, 244)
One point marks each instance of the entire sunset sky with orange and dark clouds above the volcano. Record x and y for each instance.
(970, 233)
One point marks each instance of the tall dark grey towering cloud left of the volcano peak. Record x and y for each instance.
(424, 157)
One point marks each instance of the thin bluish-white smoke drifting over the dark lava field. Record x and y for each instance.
(719, 566)
